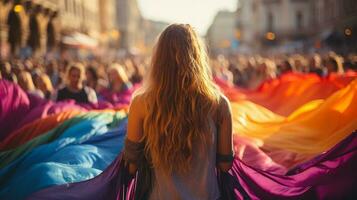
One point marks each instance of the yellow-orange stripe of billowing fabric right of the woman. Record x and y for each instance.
(312, 129)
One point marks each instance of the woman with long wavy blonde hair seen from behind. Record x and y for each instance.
(179, 122)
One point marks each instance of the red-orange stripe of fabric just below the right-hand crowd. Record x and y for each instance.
(290, 91)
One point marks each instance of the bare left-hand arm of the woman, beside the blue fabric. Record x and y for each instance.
(135, 125)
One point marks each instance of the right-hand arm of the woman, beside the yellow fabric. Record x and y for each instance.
(224, 144)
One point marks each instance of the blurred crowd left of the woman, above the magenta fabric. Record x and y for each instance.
(85, 82)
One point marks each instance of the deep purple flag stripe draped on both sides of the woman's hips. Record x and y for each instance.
(319, 178)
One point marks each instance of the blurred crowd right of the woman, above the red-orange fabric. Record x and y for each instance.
(250, 71)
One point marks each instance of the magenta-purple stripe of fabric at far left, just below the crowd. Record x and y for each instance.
(18, 109)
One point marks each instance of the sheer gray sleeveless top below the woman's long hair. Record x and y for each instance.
(199, 183)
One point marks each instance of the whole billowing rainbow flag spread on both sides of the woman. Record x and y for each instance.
(294, 138)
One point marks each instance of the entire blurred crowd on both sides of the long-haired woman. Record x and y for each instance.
(91, 81)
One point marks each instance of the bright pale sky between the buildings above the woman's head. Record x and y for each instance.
(198, 13)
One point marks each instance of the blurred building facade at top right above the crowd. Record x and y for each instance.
(293, 23)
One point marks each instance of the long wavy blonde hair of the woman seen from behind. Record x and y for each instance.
(180, 95)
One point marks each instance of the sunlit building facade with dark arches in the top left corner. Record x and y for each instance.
(24, 27)
